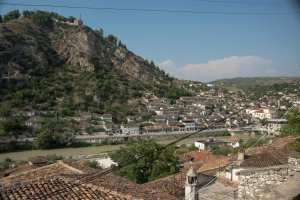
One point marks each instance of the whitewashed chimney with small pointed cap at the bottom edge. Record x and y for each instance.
(191, 185)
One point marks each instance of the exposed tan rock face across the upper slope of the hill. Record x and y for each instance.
(32, 46)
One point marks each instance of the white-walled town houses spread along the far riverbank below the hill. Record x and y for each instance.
(208, 108)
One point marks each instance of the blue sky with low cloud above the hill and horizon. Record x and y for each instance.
(218, 39)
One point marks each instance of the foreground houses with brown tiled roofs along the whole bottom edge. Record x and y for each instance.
(257, 173)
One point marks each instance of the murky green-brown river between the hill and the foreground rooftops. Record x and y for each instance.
(67, 152)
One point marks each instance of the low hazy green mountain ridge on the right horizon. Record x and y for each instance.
(252, 81)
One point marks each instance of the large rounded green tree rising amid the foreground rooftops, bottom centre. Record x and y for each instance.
(143, 161)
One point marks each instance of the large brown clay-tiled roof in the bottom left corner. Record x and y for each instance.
(58, 176)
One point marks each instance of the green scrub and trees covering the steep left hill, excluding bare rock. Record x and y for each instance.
(61, 91)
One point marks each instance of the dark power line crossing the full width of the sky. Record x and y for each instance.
(150, 10)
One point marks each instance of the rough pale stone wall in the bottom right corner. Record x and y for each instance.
(255, 183)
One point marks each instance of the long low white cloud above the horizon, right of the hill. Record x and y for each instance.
(230, 67)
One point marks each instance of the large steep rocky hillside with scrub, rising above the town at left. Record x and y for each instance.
(48, 62)
